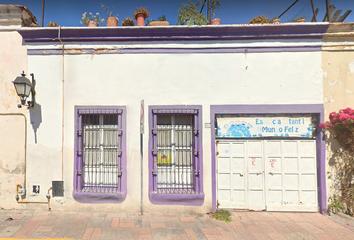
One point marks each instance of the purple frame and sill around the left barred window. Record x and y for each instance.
(99, 197)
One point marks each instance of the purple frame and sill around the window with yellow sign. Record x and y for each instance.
(190, 199)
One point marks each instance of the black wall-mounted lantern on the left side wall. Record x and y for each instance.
(23, 88)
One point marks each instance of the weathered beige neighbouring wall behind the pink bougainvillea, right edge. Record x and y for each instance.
(338, 80)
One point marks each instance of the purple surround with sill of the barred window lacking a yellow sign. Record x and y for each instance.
(86, 197)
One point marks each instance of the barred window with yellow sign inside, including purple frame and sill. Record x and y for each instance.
(175, 160)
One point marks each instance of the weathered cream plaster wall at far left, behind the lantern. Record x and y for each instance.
(13, 60)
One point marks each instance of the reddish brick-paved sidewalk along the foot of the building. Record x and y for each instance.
(245, 225)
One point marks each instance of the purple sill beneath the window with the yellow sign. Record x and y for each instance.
(177, 199)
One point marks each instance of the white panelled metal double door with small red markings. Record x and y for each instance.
(273, 175)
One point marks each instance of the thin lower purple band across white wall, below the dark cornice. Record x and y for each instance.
(178, 50)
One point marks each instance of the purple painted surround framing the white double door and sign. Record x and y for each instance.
(274, 109)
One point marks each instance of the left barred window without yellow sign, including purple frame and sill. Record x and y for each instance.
(99, 154)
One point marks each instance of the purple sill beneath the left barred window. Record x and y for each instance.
(87, 197)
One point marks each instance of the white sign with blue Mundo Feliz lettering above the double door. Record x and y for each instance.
(250, 126)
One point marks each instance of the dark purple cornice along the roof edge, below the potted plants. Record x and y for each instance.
(175, 33)
